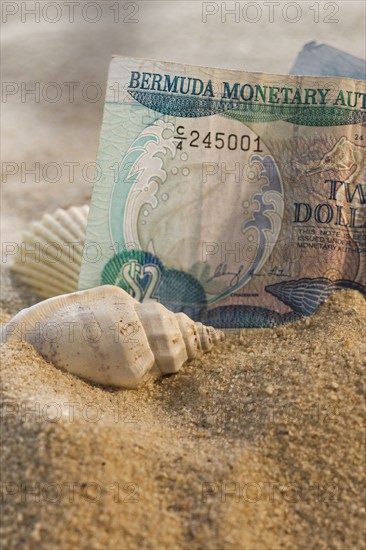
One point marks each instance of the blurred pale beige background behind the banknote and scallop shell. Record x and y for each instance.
(55, 65)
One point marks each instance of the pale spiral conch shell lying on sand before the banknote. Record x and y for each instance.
(105, 335)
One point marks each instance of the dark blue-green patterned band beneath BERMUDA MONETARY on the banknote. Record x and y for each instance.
(302, 115)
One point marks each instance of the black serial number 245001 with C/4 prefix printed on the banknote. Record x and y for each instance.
(218, 140)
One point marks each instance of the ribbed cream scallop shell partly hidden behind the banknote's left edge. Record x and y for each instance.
(50, 255)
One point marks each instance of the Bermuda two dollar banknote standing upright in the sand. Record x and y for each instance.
(236, 197)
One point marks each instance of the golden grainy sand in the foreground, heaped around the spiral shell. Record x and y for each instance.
(258, 445)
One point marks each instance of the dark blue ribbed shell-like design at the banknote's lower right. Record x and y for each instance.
(304, 296)
